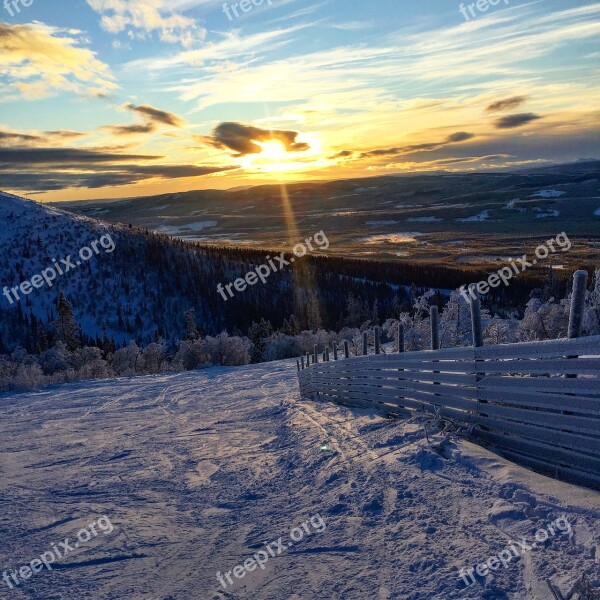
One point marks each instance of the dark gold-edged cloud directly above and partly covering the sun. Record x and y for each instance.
(242, 138)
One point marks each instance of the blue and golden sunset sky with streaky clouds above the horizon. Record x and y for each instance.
(121, 98)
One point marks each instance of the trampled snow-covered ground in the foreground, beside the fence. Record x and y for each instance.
(197, 470)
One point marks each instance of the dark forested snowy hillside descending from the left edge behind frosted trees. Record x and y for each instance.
(141, 284)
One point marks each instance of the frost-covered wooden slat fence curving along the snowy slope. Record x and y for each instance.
(537, 402)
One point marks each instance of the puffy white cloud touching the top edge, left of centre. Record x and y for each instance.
(139, 17)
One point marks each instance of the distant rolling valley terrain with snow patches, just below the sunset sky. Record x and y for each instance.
(476, 219)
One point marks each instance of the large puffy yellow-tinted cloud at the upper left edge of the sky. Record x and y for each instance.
(38, 61)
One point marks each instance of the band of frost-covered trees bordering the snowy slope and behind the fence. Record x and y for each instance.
(68, 359)
